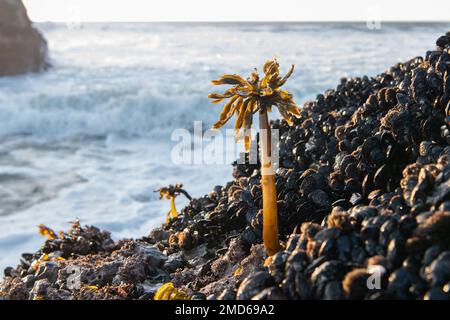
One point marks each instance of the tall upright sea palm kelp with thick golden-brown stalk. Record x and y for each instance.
(245, 98)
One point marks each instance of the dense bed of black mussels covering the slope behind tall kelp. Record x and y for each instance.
(363, 194)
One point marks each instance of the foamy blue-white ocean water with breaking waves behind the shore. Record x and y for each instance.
(91, 137)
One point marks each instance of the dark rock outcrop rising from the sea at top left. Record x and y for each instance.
(22, 48)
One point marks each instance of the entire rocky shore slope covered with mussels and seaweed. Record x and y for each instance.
(363, 201)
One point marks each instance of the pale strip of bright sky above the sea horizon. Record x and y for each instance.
(237, 10)
